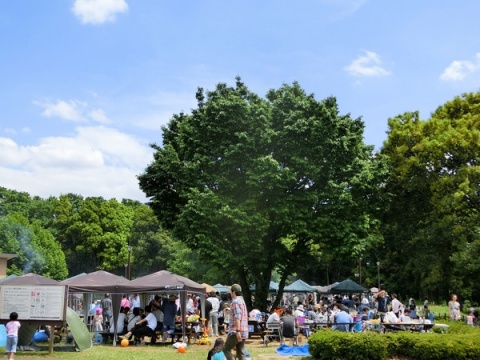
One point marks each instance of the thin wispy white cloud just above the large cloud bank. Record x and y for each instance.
(73, 110)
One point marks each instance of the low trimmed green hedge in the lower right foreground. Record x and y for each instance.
(336, 345)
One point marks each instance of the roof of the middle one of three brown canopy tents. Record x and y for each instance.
(96, 282)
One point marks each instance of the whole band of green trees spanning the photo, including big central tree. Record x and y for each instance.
(245, 188)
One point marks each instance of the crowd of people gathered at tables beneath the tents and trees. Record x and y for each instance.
(227, 314)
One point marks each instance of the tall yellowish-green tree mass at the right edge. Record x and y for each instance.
(431, 227)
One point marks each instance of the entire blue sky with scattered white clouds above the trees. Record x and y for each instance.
(85, 85)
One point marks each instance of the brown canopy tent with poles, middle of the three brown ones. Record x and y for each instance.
(98, 282)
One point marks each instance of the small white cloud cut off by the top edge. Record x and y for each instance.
(98, 11)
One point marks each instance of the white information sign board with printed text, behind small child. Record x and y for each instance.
(33, 302)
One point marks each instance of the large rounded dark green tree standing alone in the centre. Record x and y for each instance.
(251, 183)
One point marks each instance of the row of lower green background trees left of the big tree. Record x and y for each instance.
(69, 235)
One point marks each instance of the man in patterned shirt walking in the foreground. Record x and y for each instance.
(238, 327)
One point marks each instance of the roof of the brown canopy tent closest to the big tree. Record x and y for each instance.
(162, 281)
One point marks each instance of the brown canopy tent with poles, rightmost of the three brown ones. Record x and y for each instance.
(166, 281)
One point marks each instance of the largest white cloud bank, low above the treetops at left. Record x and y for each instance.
(96, 161)
